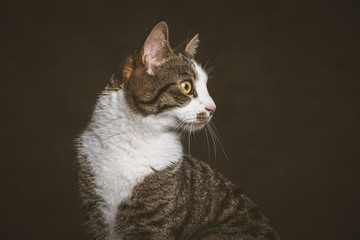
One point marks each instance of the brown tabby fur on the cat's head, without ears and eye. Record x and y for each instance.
(152, 94)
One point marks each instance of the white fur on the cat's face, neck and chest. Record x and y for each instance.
(122, 147)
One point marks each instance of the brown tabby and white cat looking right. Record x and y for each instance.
(135, 180)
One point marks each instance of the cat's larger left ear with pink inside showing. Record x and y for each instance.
(156, 47)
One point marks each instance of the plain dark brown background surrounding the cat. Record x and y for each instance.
(285, 81)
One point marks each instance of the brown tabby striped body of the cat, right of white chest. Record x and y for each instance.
(190, 201)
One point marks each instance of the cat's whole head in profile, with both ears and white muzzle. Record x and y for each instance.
(158, 80)
